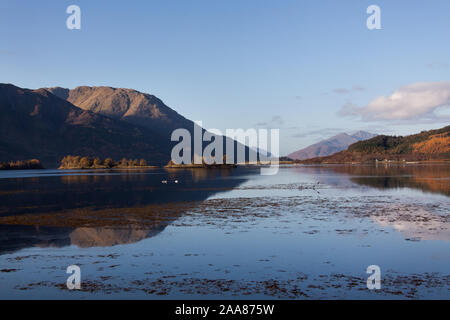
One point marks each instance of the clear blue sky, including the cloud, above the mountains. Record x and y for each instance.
(311, 68)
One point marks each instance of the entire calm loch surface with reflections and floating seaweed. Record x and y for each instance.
(308, 232)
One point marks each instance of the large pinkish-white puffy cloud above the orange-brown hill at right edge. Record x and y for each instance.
(415, 101)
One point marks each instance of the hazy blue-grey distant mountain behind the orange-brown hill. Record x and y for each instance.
(329, 146)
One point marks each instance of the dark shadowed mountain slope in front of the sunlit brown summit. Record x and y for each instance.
(38, 124)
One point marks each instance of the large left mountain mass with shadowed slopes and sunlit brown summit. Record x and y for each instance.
(50, 123)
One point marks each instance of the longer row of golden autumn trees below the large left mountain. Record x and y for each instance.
(69, 162)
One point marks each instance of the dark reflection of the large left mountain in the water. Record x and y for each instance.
(102, 208)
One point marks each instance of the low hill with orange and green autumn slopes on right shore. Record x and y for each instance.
(427, 145)
